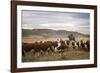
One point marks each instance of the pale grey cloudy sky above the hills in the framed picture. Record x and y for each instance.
(70, 21)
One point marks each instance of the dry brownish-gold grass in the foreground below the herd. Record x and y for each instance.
(67, 55)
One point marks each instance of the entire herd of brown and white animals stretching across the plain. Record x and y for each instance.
(58, 46)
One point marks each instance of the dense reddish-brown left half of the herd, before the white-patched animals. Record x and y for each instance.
(38, 47)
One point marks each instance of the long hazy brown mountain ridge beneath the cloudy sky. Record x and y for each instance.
(50, 33)
